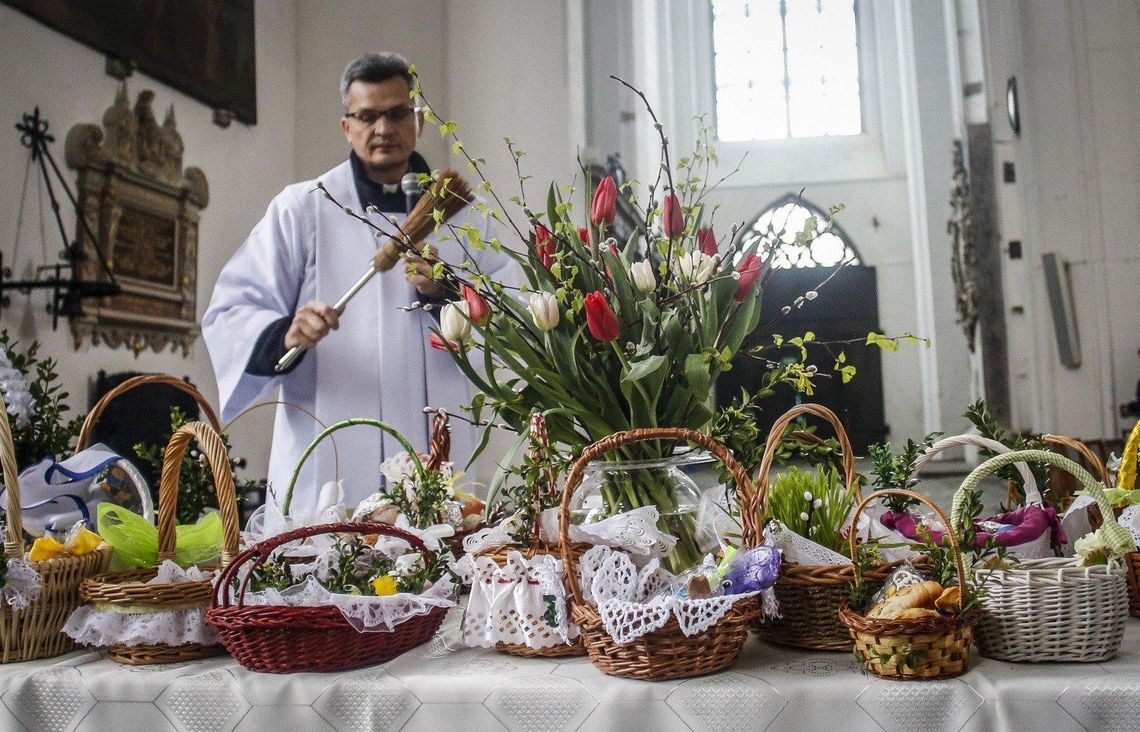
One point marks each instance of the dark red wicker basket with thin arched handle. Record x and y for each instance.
(281, 640)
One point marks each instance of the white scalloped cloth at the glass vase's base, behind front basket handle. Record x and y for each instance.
(634, 532)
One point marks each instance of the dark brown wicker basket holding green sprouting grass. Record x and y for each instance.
(810, 595)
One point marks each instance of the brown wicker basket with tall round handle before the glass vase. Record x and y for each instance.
(667, 653)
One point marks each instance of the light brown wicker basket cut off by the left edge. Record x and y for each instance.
(35, 632)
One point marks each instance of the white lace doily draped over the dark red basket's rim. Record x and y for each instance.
(364, 613)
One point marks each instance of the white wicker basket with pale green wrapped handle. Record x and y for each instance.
(1051, 609)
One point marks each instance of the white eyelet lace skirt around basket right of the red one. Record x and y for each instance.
(523, 603)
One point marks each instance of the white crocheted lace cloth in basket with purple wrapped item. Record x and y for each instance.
(629, 604)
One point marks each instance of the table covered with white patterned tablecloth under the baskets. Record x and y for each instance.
(443, 687)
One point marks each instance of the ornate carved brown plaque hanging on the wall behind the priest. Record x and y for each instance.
(145, 209)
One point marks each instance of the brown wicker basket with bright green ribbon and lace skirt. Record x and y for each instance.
(129, 592)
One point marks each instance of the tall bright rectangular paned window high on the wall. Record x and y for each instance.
(786, 69)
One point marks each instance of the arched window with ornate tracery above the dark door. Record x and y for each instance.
(783, 221)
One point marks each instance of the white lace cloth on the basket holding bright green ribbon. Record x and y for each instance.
(89, 627)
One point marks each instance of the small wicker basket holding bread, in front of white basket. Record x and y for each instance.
(913, 648)
